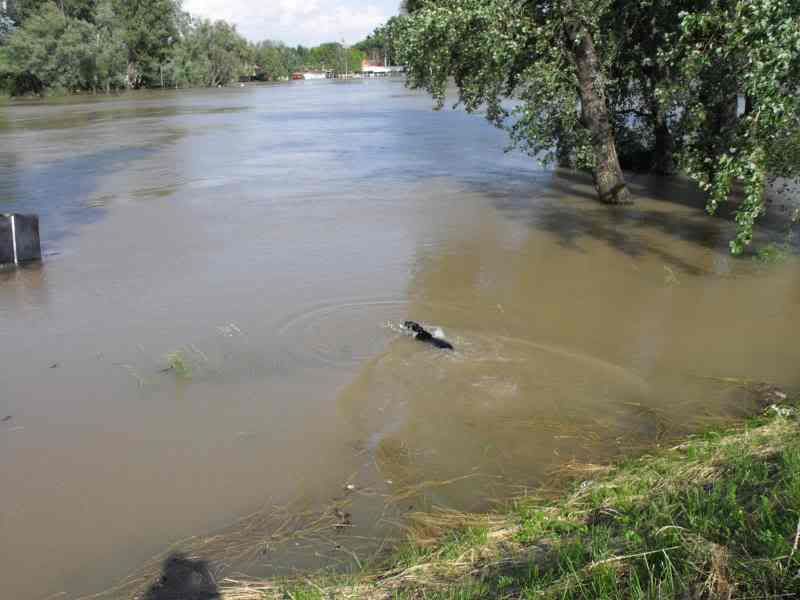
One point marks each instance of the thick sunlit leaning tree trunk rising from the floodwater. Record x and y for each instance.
(609, 180)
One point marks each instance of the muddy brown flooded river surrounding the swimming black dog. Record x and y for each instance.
(273, 238)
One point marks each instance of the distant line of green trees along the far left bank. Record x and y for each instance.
(49, 46)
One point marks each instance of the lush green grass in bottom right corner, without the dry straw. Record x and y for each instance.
(649, 534)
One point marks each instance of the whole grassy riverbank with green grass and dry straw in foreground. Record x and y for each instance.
(713, 517)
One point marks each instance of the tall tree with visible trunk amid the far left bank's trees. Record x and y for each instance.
(151, 29)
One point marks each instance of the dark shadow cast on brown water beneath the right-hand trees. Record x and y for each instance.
(667, 220)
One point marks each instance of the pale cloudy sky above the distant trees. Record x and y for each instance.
(307, 22)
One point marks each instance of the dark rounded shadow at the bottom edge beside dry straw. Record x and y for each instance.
(184, 578)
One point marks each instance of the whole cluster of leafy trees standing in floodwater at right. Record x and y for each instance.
(655, 82)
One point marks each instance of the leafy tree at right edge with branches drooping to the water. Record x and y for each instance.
(724, 50)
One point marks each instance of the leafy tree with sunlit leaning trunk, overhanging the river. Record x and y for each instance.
(547, 56)
